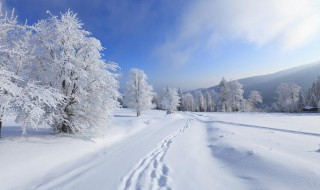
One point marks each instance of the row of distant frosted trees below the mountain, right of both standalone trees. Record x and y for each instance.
(230, 98)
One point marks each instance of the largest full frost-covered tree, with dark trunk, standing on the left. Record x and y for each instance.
(70, 60)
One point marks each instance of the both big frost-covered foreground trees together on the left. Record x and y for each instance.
(52, 74)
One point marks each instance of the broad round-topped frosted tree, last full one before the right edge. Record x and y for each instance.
(289, 95)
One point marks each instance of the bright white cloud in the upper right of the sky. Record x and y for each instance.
(288, 23)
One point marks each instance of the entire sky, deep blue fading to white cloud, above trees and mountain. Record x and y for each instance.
(194, 43)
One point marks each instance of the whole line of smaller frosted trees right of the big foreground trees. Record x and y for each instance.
(228, 98)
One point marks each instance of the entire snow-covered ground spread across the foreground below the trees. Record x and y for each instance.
(177, 151)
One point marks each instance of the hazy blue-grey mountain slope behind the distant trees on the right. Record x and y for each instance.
(303, 76)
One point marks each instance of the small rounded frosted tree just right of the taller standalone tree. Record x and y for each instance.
(170, 100)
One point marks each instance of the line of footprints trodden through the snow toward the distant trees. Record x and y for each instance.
(152, 172)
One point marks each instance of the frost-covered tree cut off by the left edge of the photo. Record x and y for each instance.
(18, 91)
